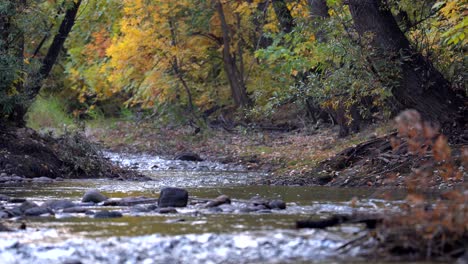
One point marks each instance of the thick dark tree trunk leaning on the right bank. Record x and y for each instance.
(421, 85)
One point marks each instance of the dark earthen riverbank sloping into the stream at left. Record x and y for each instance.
(26, 155)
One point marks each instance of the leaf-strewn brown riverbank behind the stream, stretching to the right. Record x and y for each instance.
(301, 157)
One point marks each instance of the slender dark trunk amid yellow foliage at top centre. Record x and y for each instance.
(234, 75)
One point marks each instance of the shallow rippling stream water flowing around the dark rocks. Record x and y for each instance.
(194, 234)
